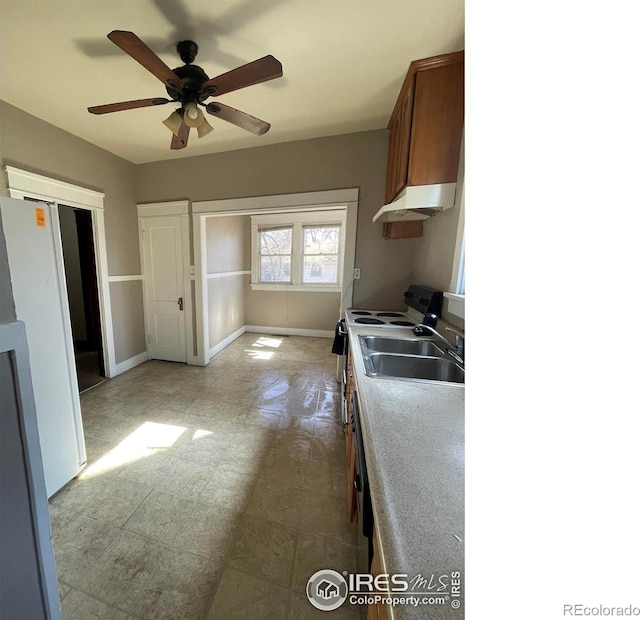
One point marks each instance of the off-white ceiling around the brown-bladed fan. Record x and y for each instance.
(343, 64)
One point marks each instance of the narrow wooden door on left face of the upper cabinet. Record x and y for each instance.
(398, 151)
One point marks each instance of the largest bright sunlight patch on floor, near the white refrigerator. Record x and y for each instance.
(149, 438)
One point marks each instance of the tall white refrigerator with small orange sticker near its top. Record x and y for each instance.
(36, 267)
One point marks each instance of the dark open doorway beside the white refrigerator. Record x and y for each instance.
(76, 228)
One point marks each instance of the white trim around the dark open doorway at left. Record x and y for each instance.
(24, 184)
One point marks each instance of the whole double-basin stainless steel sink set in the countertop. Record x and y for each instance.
(409, 359)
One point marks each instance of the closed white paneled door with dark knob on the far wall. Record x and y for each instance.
(163, 278)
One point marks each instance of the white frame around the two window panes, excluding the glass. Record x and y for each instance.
(297, 220)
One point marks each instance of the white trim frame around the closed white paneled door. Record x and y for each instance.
(168, 209)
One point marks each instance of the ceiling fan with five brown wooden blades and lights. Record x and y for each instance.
(190, 86)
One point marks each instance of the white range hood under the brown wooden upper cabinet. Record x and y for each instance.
(418, 202)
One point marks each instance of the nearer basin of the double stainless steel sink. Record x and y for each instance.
(414, 367)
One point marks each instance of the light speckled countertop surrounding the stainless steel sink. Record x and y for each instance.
(413, 435)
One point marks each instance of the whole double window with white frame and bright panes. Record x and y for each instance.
(298, 251)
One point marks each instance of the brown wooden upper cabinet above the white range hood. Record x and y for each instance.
(425, 129)
